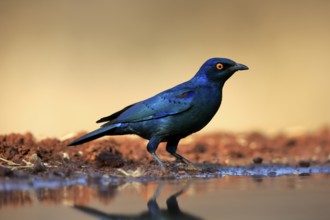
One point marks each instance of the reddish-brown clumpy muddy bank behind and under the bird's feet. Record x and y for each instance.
(22, 155)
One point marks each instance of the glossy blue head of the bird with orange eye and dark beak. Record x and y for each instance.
(219, 69)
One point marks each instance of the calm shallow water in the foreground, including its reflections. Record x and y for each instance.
(229, 197)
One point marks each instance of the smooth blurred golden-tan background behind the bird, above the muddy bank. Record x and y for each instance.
(66, 63)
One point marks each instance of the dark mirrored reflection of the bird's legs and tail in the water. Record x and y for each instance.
(173, 210)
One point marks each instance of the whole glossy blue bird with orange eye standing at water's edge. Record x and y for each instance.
(174, 113)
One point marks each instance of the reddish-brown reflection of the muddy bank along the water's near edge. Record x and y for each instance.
(104, 193)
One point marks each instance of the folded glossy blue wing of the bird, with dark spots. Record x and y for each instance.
(170, 102)
